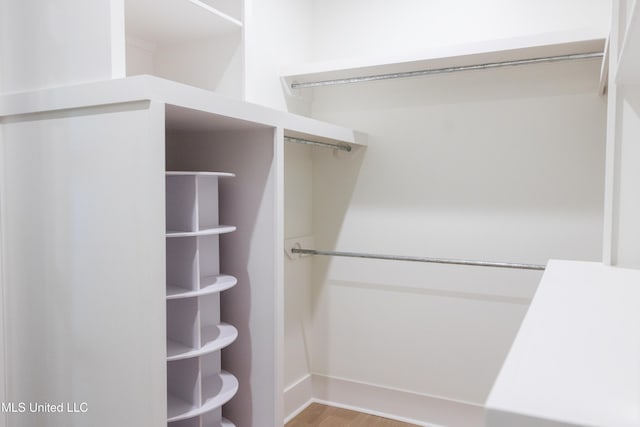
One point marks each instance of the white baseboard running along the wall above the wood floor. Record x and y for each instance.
(400, 405)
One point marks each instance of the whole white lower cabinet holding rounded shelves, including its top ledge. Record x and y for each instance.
(112, 302)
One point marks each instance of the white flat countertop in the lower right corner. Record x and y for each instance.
(575, 359)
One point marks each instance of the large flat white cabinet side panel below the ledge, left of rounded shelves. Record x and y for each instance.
(83, 206)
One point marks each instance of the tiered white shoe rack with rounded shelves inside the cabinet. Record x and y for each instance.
(197, 385)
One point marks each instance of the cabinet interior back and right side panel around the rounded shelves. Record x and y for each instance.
(250, 254)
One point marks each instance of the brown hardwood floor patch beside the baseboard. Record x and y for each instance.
(317, 415)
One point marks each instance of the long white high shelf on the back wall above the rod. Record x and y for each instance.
(538, 46)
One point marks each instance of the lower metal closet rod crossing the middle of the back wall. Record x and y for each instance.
(420, 259)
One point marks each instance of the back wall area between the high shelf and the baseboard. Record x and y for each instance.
(504, 165)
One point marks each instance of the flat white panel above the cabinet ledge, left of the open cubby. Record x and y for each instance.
(50, 51)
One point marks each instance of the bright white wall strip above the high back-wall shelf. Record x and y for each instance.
(371, 27)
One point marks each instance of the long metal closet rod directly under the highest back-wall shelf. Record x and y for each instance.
(485, 66)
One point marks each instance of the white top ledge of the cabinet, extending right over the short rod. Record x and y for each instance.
(186, 107)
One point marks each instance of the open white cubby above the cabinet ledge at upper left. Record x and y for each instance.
(197, 42)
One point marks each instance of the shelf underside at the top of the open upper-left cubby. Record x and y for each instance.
(175, 21)
